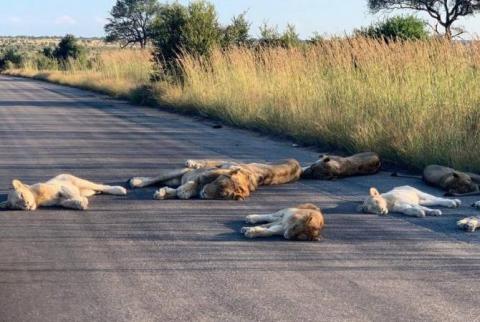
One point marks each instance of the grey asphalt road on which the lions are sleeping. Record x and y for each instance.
(136, 259)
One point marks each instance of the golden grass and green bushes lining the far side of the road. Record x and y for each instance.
(392, 87)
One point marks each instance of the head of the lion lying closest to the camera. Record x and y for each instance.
(305, 227)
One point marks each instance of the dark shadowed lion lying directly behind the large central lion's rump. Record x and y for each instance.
(330, 167)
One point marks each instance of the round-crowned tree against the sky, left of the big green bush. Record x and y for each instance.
(130, 22)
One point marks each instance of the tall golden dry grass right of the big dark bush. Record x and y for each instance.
(418, 102)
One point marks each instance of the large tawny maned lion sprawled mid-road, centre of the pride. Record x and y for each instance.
(219, 179)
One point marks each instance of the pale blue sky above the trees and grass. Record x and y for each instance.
(87, 17)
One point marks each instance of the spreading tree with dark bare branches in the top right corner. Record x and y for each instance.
(445, 12)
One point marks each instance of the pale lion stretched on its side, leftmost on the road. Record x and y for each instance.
(63, 190)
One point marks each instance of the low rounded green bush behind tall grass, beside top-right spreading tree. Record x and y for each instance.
(396, 28)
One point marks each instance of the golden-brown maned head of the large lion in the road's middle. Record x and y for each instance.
(234, 186)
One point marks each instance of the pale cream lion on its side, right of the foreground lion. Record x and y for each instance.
(406, 200)
